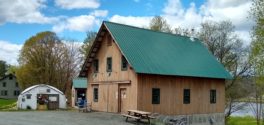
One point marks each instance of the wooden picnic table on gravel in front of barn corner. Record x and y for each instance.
(138, 115)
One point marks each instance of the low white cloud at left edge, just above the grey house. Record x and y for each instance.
(9, 52)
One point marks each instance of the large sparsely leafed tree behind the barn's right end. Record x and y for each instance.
(224, 44)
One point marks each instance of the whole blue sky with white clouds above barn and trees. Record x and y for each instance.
(71, 19)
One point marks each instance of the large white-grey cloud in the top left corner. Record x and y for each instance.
(23, 11)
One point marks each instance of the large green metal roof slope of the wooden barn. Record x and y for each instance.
(153, 52)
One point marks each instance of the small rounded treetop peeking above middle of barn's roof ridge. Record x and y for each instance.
(158, 23)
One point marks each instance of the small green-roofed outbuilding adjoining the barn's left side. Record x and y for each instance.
(79, 90)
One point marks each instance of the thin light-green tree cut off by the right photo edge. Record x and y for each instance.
(257, 55)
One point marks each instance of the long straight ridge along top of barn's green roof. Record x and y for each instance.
(149, 29)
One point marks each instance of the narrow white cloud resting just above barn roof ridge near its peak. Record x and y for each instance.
(131, 20)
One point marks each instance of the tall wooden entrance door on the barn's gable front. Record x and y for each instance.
(122, 100)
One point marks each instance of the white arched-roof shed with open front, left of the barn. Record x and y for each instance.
(41, 97)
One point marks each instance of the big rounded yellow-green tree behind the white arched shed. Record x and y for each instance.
(45, 59)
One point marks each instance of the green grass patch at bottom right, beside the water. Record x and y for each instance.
(242, 121)
